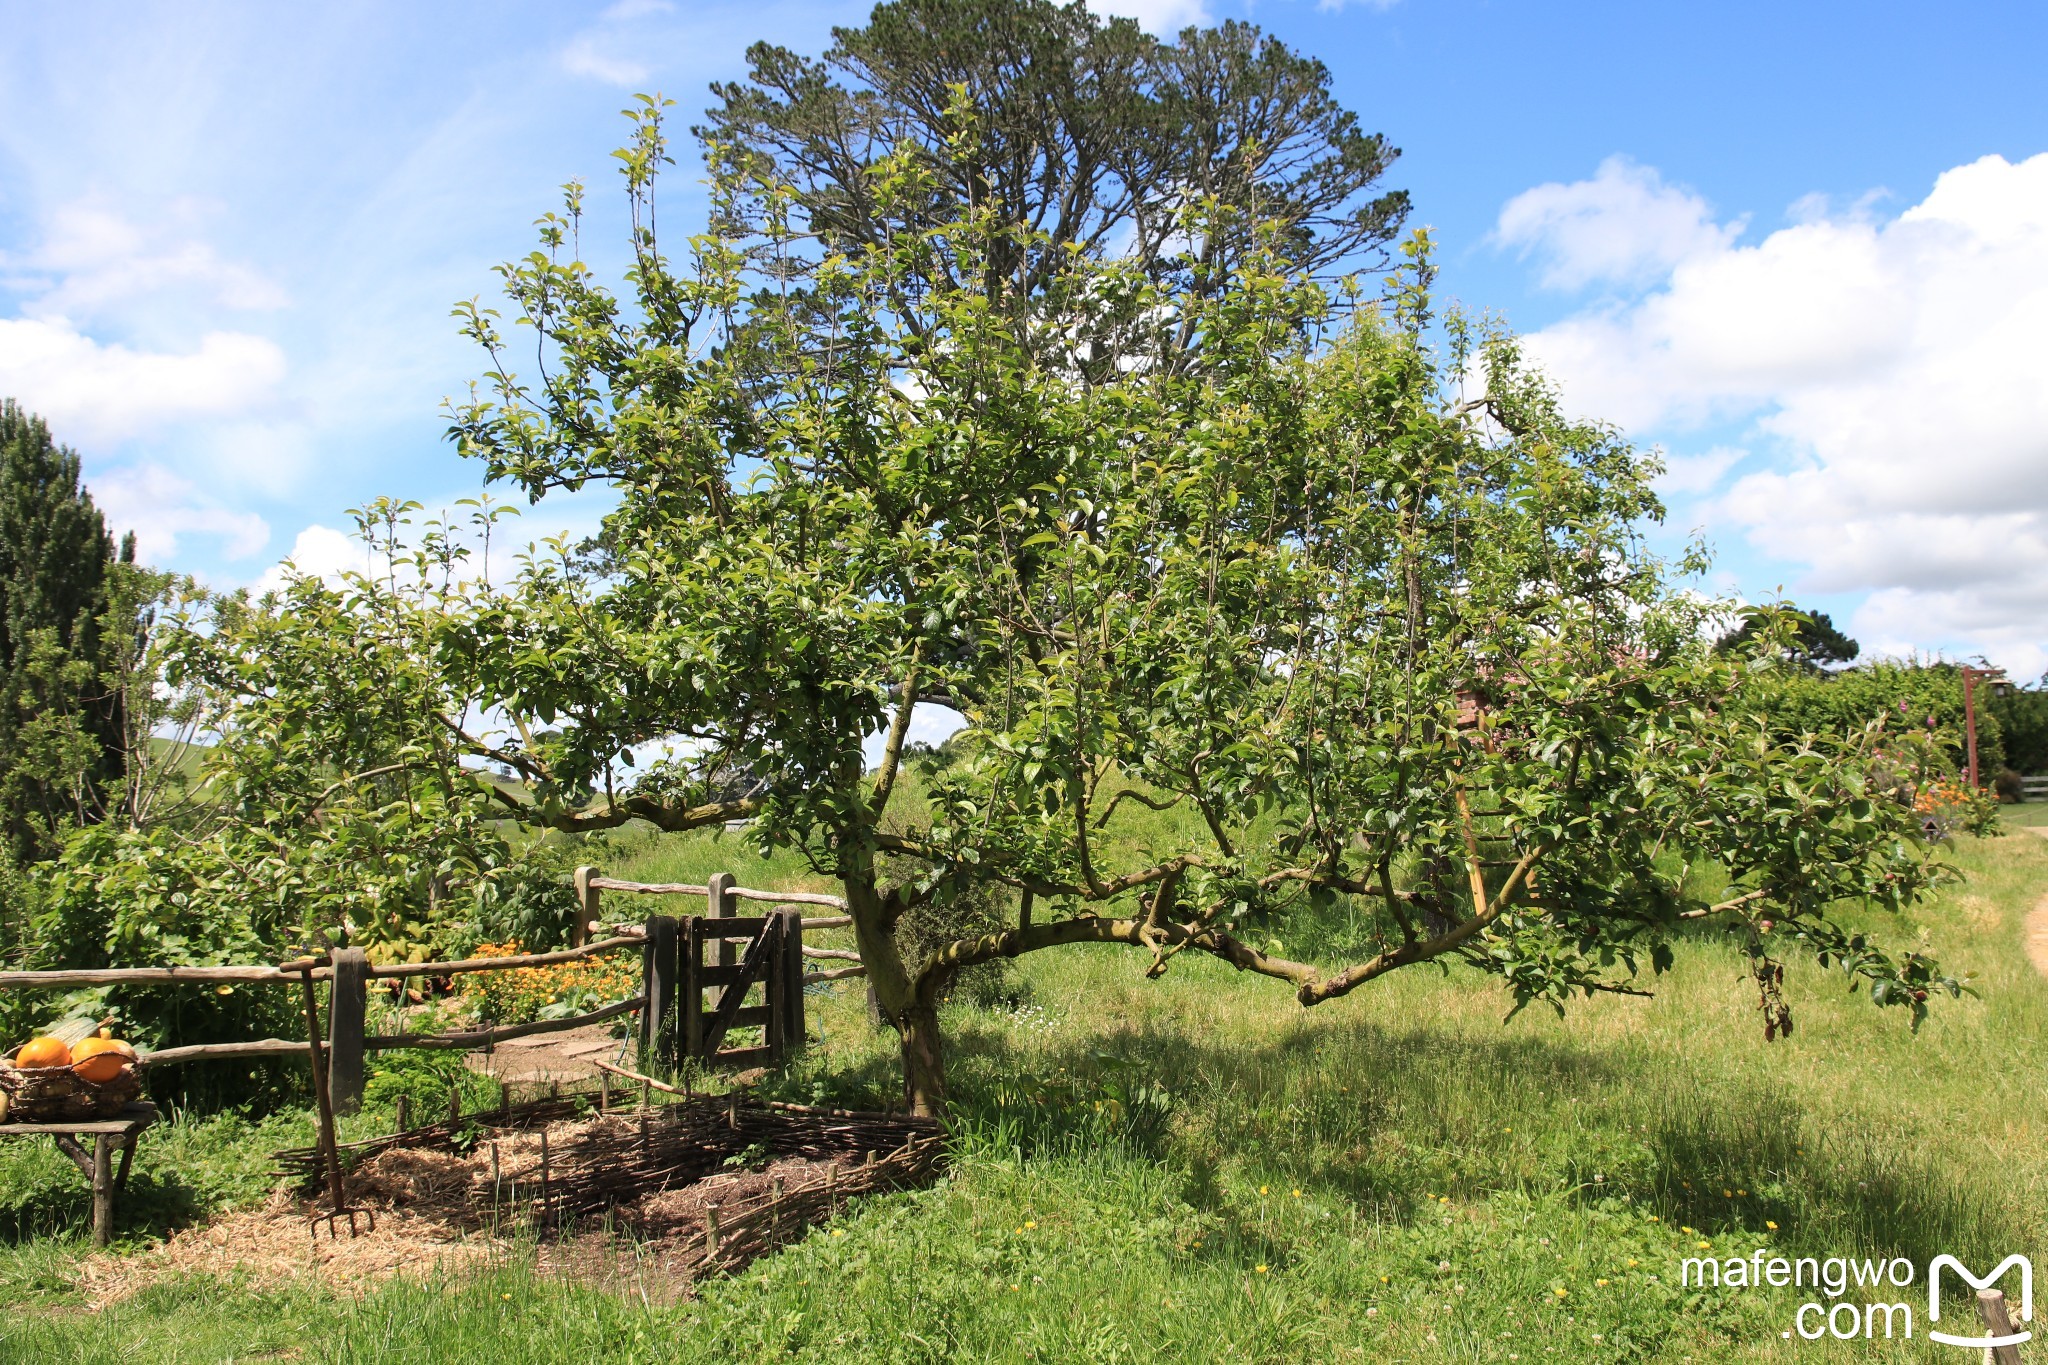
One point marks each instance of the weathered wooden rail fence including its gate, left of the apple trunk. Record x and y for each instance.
(681, 961)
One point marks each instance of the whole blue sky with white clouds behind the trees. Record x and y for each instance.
(1801, 247)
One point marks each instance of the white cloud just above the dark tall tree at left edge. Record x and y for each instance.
(95, 392)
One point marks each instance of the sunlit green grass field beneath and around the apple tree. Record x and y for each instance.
(1197, 1170)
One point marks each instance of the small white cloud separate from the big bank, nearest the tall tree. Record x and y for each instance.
(1623, 226)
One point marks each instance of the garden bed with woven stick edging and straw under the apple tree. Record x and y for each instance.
(640, 1200)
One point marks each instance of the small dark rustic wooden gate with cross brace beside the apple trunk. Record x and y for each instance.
(701, 973)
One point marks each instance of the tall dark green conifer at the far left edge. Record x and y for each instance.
(60, 725)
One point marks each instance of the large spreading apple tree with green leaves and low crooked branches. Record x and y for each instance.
(1320, 570)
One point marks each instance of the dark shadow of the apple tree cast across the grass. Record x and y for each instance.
(1392, 1118)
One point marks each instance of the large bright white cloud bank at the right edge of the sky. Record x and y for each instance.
(1891, 371)
